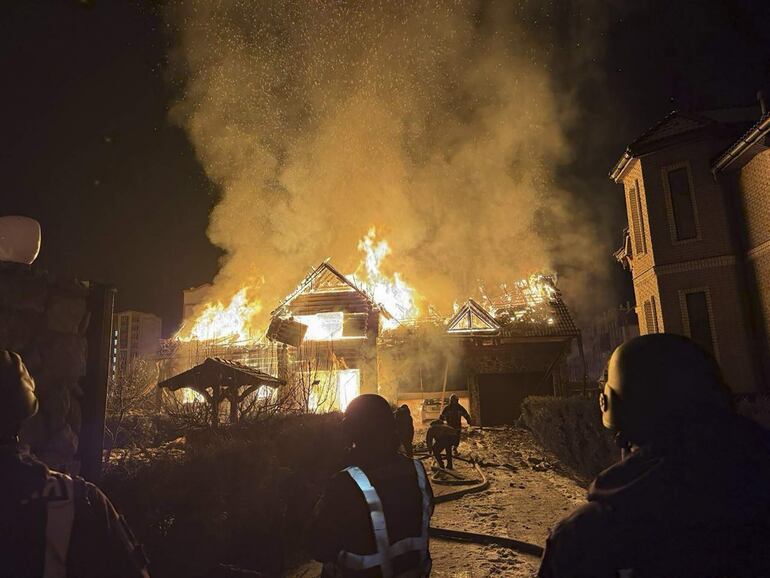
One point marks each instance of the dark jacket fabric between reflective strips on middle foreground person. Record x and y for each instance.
(341, 520)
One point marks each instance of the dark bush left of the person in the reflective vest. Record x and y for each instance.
(238, 498)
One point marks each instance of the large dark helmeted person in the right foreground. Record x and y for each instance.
(690, 497)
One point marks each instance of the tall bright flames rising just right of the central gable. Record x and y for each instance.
(398, 298)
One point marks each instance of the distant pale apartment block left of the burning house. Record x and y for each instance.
(134, 335)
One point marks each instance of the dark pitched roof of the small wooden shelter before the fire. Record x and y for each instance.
(218, 371)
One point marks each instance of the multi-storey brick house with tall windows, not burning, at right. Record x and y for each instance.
(697, 191)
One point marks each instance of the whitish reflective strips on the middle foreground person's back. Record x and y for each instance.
(386, 551)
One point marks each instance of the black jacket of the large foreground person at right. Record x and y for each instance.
(694, 504)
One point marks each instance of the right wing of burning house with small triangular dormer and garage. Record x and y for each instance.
(494, 355)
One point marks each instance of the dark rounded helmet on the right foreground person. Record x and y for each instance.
(658, 376)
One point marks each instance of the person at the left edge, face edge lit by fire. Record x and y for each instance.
(52, 524)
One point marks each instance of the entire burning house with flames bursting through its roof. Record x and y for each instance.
(337, 336)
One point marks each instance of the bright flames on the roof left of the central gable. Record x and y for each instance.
(231, 322)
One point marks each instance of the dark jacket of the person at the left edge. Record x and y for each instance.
(101, 545)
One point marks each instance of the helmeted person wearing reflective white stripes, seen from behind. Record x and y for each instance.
(374, 515)
